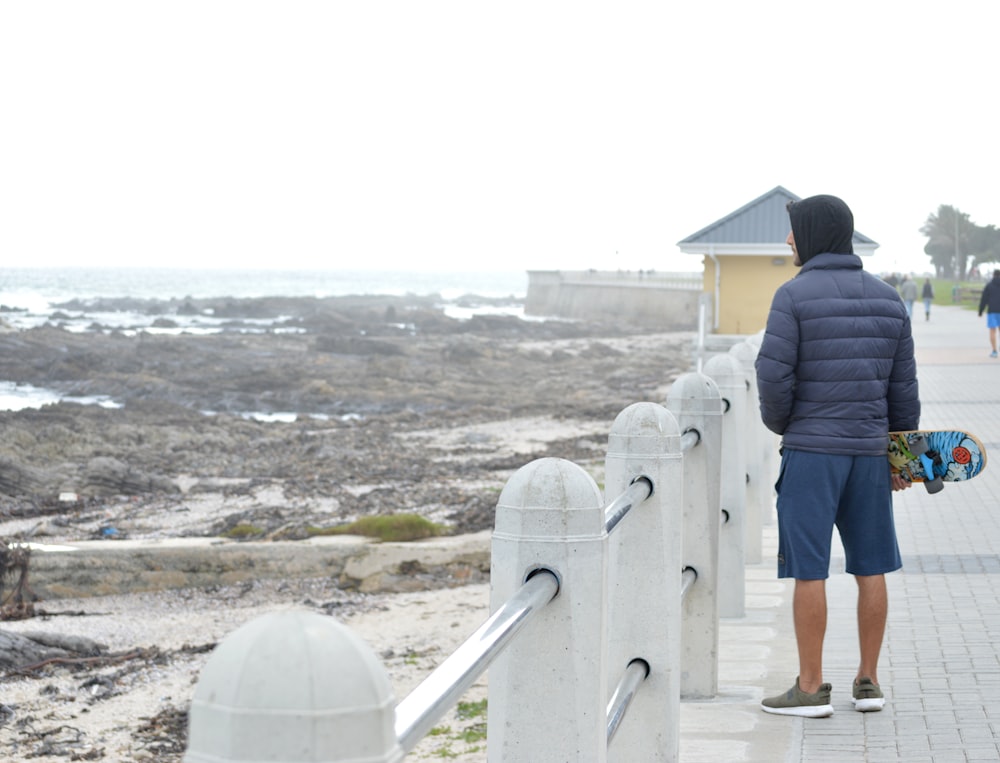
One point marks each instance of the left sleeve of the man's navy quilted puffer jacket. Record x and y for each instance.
(776, 363)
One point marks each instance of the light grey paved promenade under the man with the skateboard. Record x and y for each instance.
(940, 666)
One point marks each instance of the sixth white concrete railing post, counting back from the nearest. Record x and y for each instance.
(757, 496)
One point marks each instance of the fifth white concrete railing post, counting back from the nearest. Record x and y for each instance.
(726, 372)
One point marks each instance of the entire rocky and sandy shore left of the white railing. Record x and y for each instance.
(397, 409)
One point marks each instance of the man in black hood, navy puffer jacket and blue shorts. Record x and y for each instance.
(835, 375)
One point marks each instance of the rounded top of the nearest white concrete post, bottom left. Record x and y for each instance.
(297, 687)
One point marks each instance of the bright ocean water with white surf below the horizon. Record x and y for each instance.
(29, 297)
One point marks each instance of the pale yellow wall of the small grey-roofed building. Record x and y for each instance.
(745, 289)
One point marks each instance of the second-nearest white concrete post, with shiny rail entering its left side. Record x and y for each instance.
(548, 690)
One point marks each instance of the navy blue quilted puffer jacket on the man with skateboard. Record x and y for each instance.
(835, 372)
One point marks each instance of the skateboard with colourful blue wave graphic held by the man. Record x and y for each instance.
(935, 456)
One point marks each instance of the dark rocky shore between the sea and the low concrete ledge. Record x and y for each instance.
(394, 407)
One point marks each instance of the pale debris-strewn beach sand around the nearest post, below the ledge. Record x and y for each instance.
(134, 710)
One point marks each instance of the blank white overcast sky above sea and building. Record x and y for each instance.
(474, 136)
